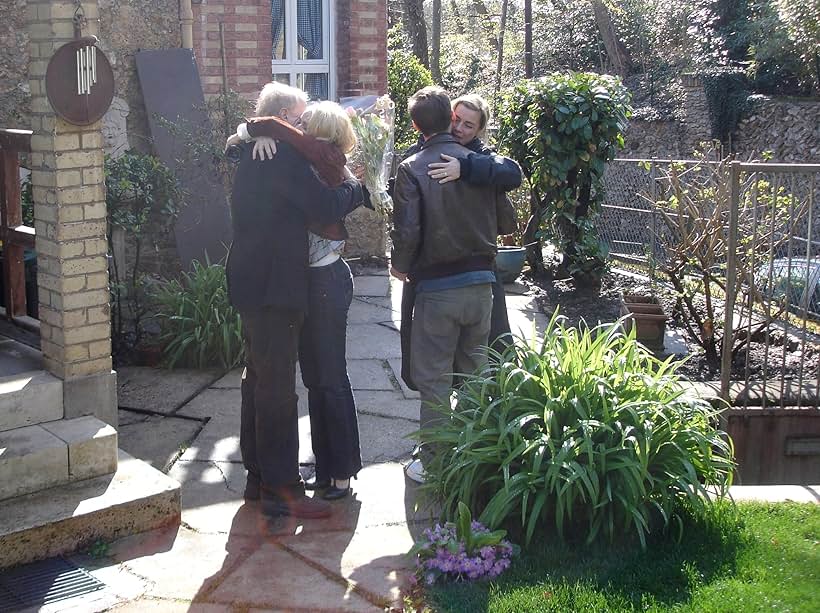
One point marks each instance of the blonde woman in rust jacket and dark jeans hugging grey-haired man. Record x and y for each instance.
(322, 343)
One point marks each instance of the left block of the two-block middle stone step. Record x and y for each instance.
(31, 459)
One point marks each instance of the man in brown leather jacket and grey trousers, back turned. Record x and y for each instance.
(444, 238)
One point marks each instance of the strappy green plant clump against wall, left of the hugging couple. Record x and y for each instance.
(200, 328)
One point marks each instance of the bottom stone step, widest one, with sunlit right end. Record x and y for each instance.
(63, 519)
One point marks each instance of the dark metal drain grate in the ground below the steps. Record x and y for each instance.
(43, 583)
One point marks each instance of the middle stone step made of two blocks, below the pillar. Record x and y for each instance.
(33, 458)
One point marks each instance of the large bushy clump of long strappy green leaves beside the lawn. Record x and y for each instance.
(584, 429)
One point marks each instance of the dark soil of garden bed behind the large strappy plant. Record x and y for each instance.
(601, 304)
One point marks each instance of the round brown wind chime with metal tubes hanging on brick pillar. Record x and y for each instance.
(79, 79)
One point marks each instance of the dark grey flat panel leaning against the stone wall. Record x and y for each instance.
(171, 89)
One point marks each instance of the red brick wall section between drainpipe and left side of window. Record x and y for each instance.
(247, 44)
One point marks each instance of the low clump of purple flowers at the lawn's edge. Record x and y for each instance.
(464, 551)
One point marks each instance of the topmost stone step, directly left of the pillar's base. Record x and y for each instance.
(30, 398)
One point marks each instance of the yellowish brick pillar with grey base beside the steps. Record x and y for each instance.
(70, 223)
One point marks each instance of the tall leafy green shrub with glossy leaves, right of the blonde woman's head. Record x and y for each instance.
(563, 129)
